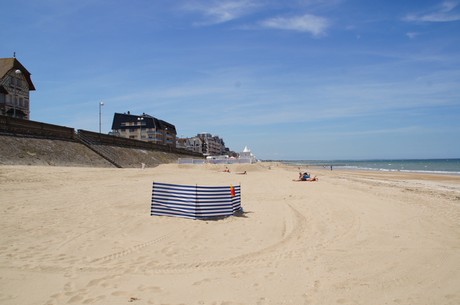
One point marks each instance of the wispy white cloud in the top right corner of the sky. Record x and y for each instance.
(443, 13)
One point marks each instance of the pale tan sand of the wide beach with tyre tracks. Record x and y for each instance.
(85, 236)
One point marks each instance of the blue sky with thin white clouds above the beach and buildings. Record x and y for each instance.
(319, 79)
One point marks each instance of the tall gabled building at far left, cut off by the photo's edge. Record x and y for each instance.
(15, 85)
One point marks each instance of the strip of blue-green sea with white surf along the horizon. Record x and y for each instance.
(429, 166)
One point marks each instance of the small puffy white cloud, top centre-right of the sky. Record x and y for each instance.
(315, 25)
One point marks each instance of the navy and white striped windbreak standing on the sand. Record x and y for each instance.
(197, 202)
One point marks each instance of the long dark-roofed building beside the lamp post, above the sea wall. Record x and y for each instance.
(145, 128)
